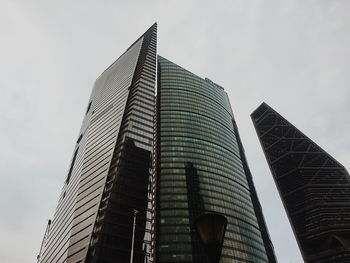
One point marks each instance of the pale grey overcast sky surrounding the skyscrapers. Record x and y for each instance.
(294, 55)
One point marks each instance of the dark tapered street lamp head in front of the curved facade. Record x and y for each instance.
(211, 228)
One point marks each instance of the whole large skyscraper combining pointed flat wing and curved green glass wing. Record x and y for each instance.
(172, 157)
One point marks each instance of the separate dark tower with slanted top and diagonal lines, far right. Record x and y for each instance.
(314, 188)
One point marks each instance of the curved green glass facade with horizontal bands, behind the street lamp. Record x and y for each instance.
(199, 170)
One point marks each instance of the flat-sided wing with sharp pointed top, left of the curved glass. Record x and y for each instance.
(110, 171)
